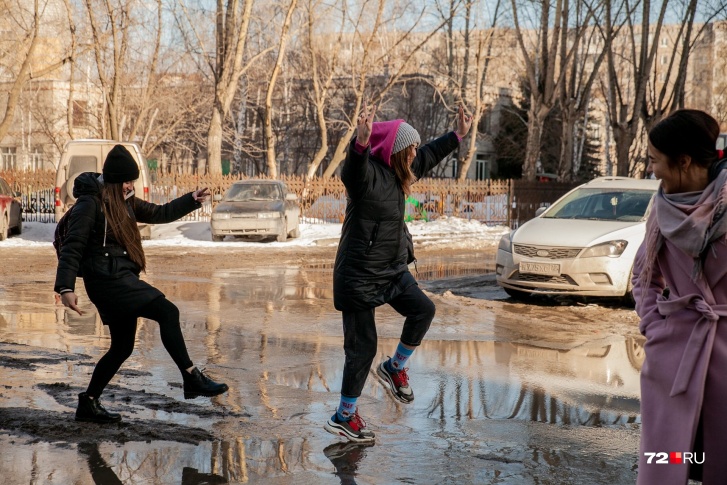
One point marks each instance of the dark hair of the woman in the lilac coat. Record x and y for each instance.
(687, 132)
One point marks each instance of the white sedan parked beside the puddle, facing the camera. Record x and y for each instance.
(583, 244)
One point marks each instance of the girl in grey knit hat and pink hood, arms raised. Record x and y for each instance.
(371, 268)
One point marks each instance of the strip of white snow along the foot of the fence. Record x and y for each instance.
(449, 232)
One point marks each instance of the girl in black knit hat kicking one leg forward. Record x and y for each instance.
(104, 243)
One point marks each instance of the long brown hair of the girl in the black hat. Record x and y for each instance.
(122, 225)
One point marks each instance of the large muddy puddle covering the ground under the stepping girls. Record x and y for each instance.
(491, 405)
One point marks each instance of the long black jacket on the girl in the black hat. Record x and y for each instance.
(111, 278)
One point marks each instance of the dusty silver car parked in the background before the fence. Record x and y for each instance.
(256, 209)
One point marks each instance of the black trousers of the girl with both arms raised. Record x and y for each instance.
(360, 340)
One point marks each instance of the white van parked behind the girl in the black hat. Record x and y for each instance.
(80, 156)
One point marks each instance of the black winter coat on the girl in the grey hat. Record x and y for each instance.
(375, 248)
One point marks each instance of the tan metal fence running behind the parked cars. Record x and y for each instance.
(494, 202)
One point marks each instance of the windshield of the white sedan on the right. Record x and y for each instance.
(602, 204)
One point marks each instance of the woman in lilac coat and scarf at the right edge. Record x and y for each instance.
(683, 382)
